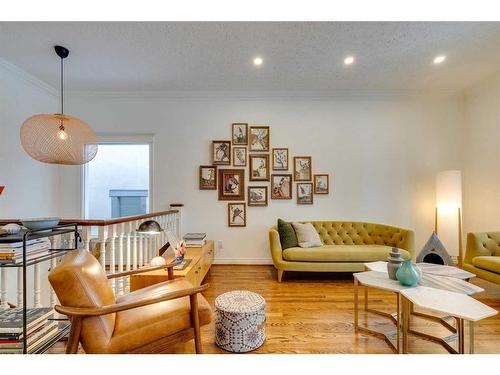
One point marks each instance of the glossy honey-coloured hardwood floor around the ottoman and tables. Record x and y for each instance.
(313, 313)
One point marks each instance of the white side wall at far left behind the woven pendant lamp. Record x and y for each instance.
(31, 187)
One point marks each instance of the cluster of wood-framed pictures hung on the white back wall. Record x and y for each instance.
(272, 170)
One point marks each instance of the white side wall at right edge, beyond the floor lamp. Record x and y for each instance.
(482, 157)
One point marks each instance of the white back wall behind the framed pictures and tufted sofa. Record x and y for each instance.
(382, 154)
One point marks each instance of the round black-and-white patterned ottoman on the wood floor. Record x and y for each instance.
(240, 321)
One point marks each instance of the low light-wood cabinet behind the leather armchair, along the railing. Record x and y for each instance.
(200, 261)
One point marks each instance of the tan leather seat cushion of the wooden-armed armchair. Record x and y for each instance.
(143, 325)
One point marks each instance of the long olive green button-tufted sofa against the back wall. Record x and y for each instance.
(346, 246)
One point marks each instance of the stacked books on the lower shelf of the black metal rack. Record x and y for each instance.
(40, 329)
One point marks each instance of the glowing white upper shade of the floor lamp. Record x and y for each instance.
(449, 190)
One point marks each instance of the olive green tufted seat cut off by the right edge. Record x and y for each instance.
(482, 255)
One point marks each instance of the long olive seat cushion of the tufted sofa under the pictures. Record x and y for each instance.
(341, 253)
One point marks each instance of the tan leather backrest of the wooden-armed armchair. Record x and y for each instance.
(80, 281)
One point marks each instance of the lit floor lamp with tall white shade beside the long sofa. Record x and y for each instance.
(449, 200)
